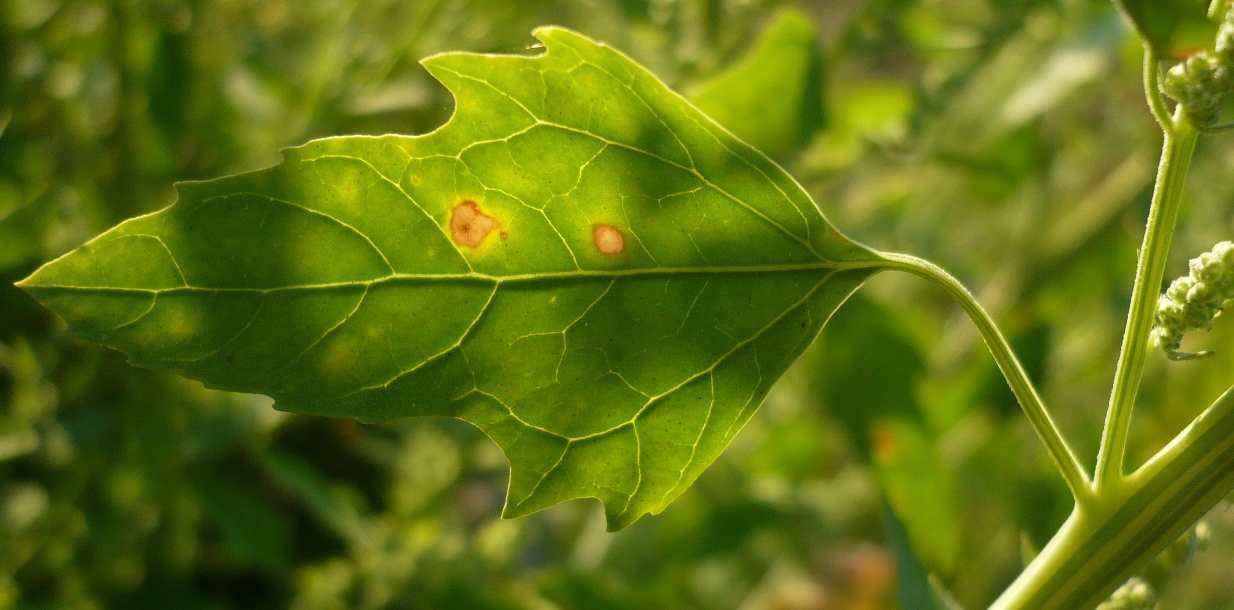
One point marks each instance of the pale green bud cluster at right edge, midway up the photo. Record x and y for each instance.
(1193, 302)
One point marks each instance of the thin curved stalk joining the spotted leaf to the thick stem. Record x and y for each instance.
(1021, 386)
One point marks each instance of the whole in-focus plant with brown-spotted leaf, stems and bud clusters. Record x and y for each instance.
(608, 283)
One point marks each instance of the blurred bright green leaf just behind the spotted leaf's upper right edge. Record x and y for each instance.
(773, 98)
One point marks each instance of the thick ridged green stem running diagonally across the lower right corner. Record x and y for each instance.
(1109, 541)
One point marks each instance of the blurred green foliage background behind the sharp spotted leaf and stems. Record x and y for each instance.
(1006, 140)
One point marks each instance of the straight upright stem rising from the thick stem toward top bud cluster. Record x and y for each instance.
(1177, 152)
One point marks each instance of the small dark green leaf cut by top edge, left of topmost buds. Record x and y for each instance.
(1173, 28)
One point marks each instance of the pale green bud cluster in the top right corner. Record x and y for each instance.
(1201, 82)
